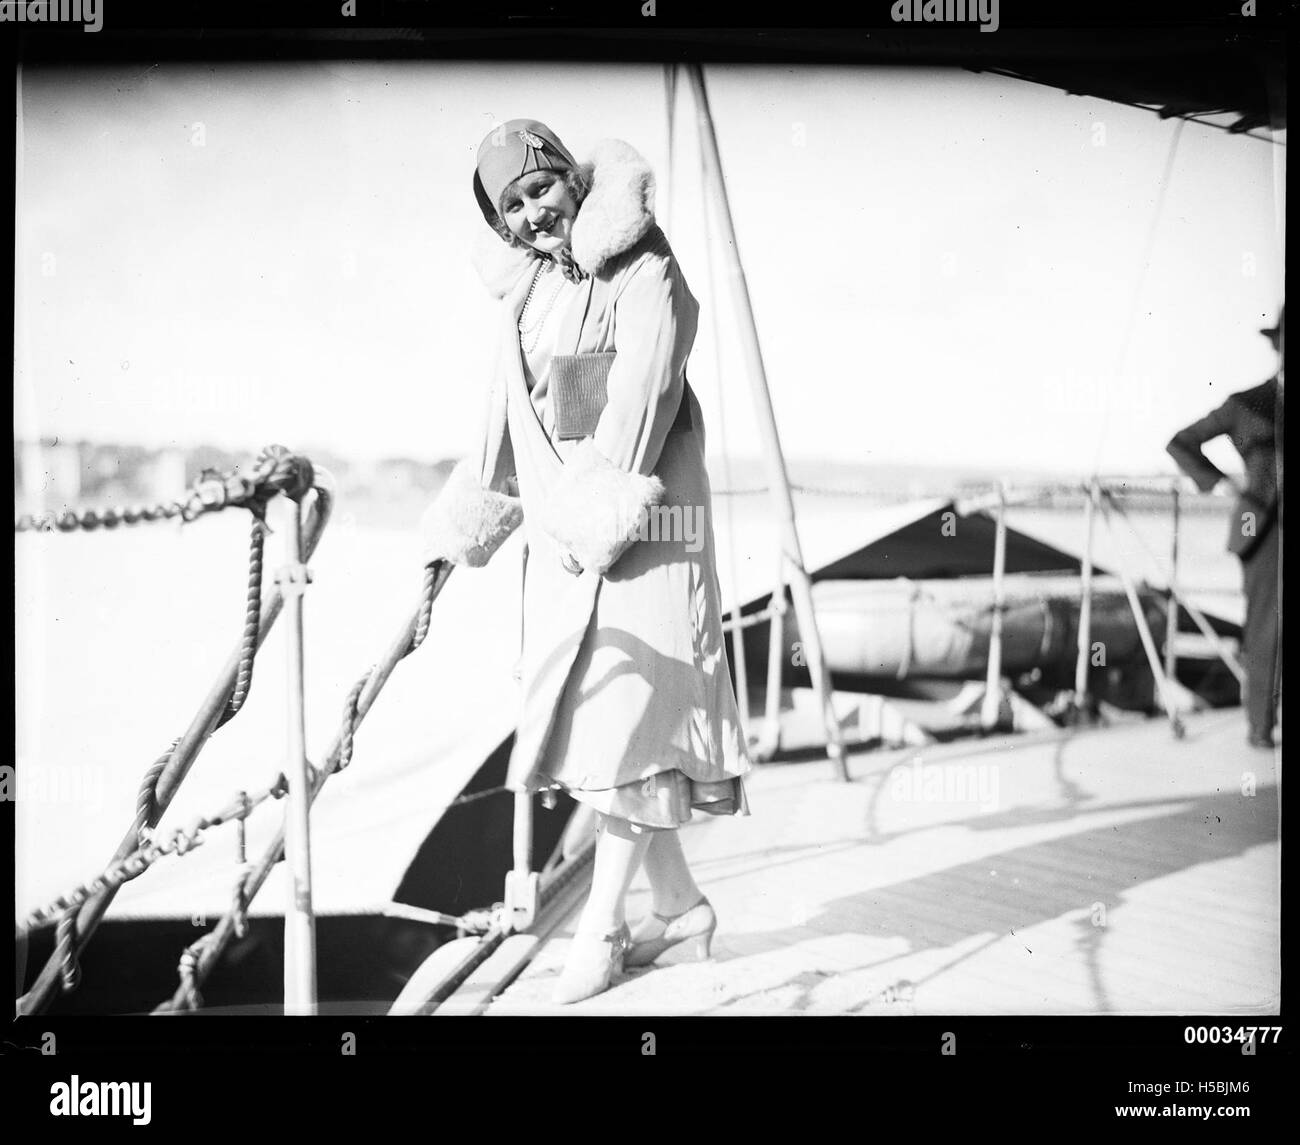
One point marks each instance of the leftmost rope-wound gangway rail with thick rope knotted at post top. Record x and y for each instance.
(278, 471)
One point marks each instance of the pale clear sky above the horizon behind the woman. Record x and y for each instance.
(947, 268)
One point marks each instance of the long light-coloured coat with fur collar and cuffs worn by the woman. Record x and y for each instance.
(623, 667)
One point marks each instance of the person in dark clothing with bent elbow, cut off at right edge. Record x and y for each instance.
(1253, 419)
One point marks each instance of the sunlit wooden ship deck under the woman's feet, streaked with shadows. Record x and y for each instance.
(1111, 871)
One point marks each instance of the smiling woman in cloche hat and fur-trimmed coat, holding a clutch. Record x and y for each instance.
(627, 701)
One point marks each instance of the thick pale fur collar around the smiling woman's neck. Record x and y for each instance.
(616, 216)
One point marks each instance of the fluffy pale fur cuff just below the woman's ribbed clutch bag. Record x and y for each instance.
(597, 510)
